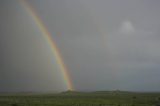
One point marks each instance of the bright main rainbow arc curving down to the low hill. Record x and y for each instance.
(47, 35)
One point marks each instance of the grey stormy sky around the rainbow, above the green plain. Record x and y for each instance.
(105, 44)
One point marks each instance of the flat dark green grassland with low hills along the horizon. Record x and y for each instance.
(114, 98)
